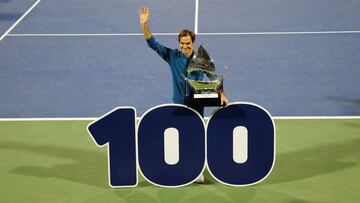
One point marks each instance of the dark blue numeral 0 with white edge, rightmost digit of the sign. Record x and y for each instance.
(240, 144)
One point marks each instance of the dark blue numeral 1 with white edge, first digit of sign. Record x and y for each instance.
(117, 129)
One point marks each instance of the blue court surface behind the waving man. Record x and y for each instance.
(77, 58)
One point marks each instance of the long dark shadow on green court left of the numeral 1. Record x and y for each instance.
(88, 167)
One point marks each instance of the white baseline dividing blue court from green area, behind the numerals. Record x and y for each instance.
(206, 118)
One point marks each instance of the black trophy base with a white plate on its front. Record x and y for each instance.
(205, 100)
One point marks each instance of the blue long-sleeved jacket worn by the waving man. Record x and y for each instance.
(178, 63)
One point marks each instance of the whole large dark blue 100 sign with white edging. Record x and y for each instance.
(171, 145)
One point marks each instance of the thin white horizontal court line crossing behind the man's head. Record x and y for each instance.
(171, 34)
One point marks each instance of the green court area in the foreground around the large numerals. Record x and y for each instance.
(57, 161)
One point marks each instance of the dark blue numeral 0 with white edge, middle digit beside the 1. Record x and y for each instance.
(171, 145)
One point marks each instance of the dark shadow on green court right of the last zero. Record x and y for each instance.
(314, 161)
